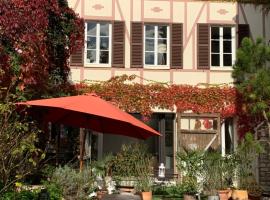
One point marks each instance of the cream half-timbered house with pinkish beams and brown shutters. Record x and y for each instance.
(174, 41)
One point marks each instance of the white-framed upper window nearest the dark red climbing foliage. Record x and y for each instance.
(98, 43)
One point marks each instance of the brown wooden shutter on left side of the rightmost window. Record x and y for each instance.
(203, 47)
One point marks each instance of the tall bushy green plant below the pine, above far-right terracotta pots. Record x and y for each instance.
(246, 153)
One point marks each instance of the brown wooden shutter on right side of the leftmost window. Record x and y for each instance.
(118, 44)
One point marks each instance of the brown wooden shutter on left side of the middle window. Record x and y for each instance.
(136, 45)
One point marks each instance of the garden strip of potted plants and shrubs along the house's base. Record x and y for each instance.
(203, 174)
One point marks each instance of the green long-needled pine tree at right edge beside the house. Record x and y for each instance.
(252, 77)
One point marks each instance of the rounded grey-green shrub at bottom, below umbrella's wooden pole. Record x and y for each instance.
(74, 184)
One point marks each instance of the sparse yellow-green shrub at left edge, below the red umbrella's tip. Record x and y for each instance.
(18, 136)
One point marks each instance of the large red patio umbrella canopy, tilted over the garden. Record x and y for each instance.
(90, 111)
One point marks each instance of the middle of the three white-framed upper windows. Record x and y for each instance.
(156, 43)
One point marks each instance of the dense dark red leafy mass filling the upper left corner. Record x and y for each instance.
(36, 40)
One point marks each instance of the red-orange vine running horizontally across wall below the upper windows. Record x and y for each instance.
(130, 96)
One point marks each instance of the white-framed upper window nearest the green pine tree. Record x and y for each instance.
(222, 46)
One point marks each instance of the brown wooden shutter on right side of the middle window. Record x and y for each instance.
(176, 46)
